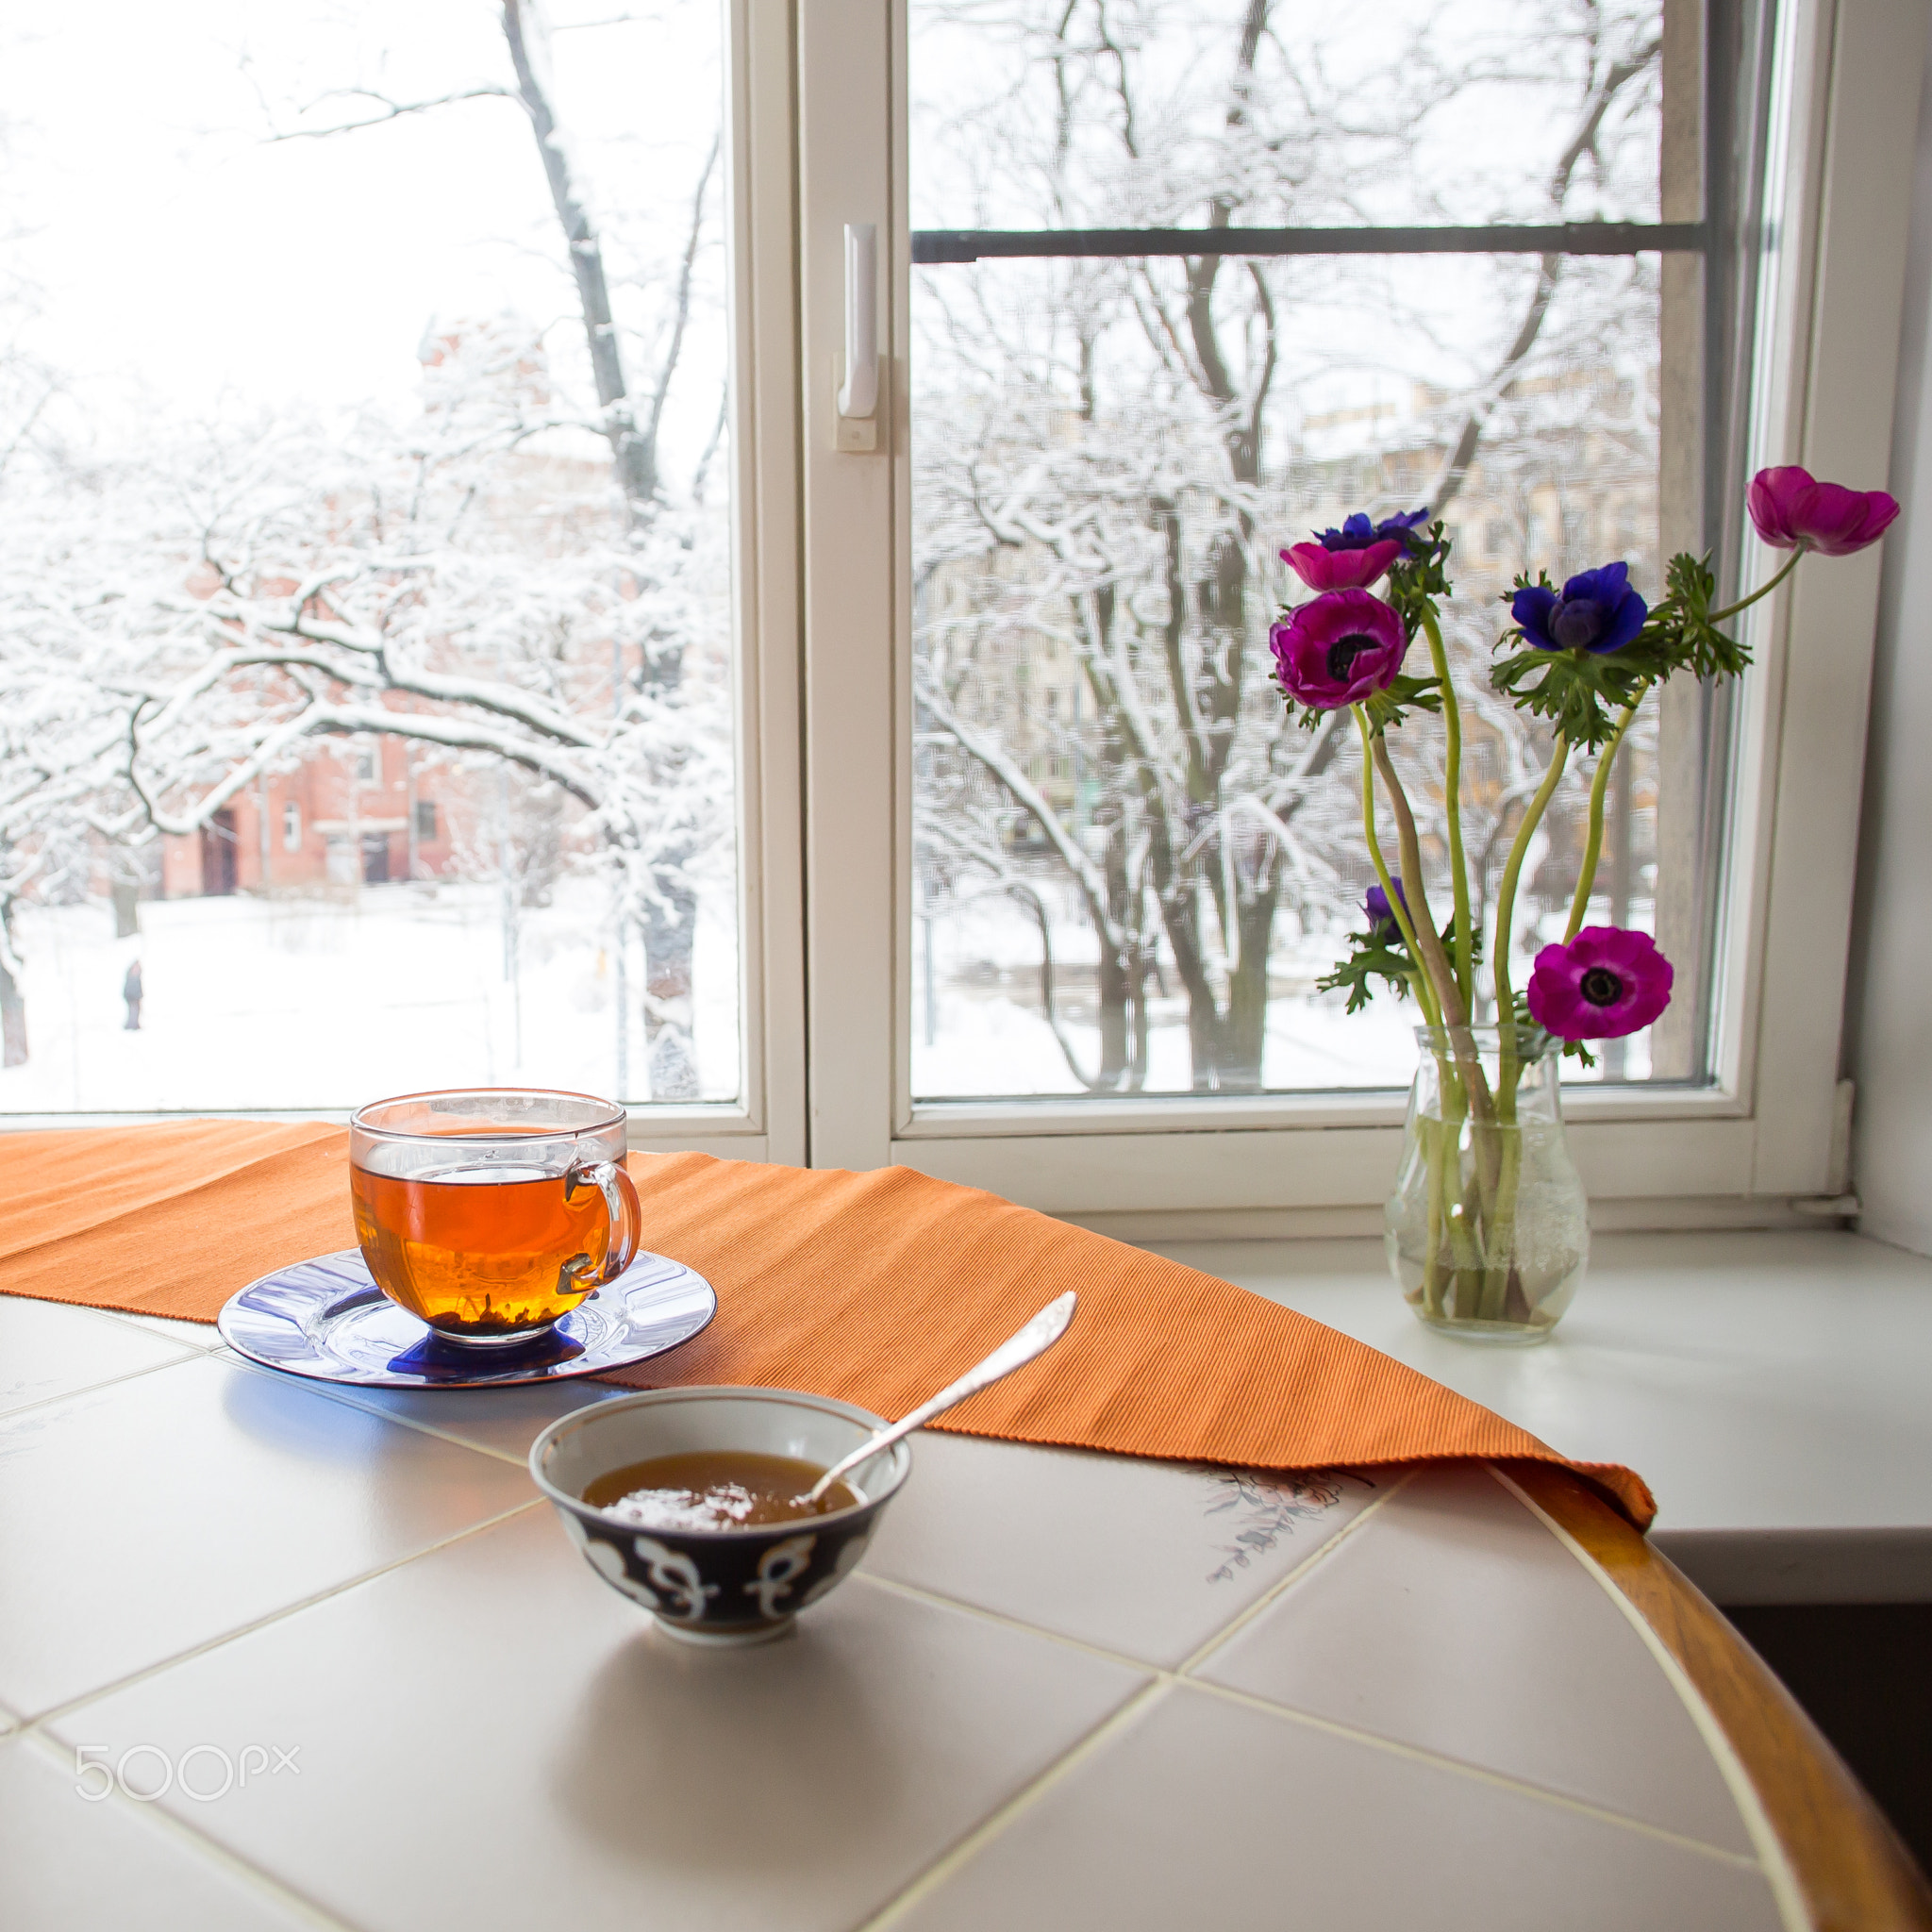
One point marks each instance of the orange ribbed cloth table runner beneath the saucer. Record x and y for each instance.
(874, 1290)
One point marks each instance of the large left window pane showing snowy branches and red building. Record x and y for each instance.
(366, 602)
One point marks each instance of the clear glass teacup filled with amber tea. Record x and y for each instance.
(492, 1212)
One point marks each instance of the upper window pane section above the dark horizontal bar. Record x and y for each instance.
(1108, 115)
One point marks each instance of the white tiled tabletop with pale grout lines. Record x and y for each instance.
(1064, 1691)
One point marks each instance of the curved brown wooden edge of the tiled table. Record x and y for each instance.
(1848, 1863)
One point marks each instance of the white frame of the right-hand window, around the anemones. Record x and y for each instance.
(1771, 1129)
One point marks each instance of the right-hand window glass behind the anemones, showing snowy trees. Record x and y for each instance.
(1131, 867)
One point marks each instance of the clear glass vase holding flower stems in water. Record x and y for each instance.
(1489, 1228)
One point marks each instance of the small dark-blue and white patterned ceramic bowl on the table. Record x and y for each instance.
(718, 1587)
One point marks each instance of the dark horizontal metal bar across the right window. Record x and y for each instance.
(934, 246)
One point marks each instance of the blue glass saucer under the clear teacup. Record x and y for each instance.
(331, 1322)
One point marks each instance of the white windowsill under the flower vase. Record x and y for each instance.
(1769, 1386)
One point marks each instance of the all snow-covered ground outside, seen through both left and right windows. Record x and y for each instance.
(312, 1004)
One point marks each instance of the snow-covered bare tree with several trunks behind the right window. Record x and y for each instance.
(1133, 534)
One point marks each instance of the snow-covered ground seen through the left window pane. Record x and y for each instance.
(308, 1004)
